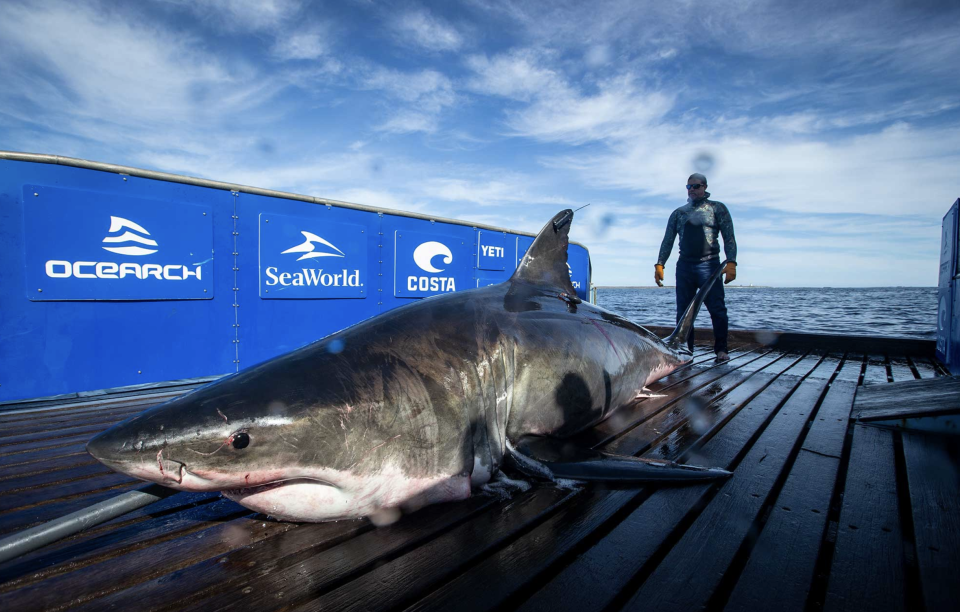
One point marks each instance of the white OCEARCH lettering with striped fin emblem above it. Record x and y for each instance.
(58, 268)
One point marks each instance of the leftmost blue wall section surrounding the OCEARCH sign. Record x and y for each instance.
(47, 348)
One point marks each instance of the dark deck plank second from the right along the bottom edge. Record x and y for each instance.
(868, 570)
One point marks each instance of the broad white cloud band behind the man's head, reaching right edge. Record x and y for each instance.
(896, 170)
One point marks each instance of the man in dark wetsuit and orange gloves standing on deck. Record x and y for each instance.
(700, 223)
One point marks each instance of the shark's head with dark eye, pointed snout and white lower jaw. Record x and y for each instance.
(280, 441)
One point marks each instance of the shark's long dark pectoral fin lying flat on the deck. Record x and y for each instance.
(565, 460)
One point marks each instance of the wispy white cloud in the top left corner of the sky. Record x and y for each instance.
(69, 59)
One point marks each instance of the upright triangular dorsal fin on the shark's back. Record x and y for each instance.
(546, 260)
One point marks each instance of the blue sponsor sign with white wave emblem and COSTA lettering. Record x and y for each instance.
(430, 263)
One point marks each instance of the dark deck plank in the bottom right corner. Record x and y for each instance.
(933, 473)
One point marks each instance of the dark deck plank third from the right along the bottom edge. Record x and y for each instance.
(780, 568)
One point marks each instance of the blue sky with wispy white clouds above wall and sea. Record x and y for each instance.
(831, 130)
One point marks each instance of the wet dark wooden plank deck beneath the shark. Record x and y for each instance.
(823, 512)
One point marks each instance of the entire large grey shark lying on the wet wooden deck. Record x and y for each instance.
(418, 405)
